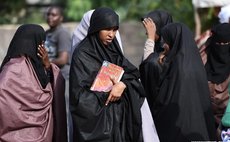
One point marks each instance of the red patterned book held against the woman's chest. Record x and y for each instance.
(102, 82)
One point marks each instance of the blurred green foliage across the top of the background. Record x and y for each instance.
(16, 11)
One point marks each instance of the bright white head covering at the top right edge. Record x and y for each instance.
(224, 14)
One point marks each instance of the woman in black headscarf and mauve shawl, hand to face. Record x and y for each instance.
(31, 91)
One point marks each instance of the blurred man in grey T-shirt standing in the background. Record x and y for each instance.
(58, 44)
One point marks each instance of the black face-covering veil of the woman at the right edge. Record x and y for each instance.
(218, 61)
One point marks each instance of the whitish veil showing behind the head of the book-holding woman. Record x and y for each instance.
(81, 31)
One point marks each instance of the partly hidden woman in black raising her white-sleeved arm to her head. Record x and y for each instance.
(150, 69)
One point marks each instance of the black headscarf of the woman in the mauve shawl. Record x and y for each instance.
(25, 43)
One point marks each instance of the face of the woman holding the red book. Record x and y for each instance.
(107, 35)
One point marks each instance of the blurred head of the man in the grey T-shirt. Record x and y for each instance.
(53, 17)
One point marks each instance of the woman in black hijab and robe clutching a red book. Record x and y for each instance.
(94, 119)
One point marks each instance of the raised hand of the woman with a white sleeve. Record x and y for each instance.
(150, 28)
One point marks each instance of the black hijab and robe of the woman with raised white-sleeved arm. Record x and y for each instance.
(150, 70)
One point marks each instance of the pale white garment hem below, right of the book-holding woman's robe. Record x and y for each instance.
(148, 126)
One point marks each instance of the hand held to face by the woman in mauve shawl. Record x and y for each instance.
(42, 53)
